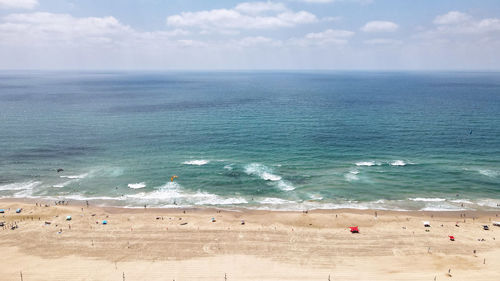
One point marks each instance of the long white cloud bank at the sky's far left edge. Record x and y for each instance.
(57, 30)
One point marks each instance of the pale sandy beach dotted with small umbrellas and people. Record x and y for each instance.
(185, 244)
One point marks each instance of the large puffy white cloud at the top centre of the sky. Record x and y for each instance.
(243, 16)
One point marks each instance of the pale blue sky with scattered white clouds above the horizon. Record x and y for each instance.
(227, 34)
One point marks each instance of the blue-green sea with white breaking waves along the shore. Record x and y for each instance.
(262, 140)
